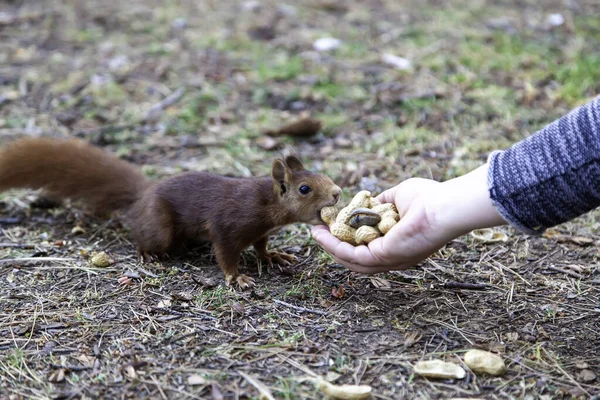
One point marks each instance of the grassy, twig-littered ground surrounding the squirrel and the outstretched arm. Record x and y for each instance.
(482, 75)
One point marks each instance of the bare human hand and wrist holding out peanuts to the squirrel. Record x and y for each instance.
(431, 215)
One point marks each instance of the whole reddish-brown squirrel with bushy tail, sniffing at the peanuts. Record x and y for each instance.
(232, 213)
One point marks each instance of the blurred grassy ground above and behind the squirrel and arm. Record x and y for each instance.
(401, 88)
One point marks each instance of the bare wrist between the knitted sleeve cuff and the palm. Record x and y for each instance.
(464, 204)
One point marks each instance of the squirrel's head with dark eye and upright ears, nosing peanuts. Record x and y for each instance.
(302, 192)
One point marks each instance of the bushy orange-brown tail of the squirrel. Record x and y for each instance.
(72, 169)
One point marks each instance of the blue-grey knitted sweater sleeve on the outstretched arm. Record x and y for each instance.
(552, 176)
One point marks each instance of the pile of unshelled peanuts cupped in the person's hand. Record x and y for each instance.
(362, 221)
